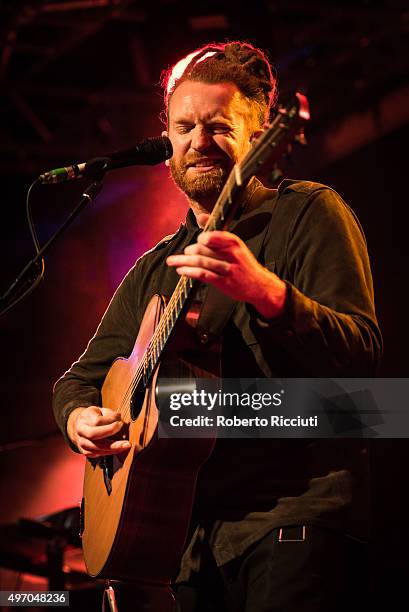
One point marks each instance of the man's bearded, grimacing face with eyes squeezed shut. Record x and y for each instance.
(210, 130)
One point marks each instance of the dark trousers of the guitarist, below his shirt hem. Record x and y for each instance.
(295, 569)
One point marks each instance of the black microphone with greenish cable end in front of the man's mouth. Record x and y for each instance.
(148, 152)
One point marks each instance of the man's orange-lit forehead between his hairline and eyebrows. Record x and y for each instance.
(207, 100)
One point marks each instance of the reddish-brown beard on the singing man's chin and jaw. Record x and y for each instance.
(203, 186)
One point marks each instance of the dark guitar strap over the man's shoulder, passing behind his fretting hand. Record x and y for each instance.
(251, 227)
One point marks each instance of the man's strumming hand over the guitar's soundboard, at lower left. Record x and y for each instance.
(92, 430)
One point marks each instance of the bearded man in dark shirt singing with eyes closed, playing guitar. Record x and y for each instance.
(277, 524)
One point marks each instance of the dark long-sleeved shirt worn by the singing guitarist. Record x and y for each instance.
(310, 238)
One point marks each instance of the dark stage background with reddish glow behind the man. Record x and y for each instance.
(79, 79)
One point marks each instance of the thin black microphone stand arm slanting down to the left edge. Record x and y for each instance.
(32, 270)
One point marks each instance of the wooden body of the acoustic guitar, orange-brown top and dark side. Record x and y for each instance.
(137, 505)
